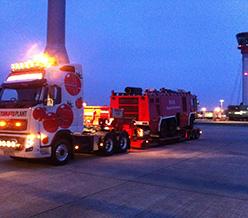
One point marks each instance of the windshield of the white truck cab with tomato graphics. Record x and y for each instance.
(19, 97)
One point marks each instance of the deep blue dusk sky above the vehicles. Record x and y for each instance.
(186, 44)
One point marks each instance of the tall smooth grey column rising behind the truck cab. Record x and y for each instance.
(56, 31)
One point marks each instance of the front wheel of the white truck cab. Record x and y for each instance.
(61, 152)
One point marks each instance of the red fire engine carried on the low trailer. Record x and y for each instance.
(154, 115)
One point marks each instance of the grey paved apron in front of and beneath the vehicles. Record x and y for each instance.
(202, 178)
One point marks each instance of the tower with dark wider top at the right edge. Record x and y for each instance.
(242, 39)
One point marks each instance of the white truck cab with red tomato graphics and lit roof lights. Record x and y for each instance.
(39, 103)
